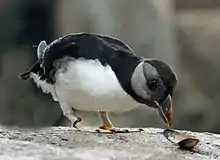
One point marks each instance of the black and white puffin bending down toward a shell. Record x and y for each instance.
(95, 72)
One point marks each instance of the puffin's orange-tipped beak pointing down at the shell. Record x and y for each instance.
(165, 110)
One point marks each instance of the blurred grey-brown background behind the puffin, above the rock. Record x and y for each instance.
(185, 33)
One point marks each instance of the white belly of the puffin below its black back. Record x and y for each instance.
(87, 85)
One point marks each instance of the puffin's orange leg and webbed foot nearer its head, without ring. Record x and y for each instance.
(108, 126)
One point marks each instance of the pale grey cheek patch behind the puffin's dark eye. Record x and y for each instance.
(139, 83)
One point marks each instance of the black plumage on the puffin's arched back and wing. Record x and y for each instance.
(109, 51)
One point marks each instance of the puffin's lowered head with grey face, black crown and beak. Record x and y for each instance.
(154, 81)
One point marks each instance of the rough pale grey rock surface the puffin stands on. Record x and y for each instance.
(67, 143)
